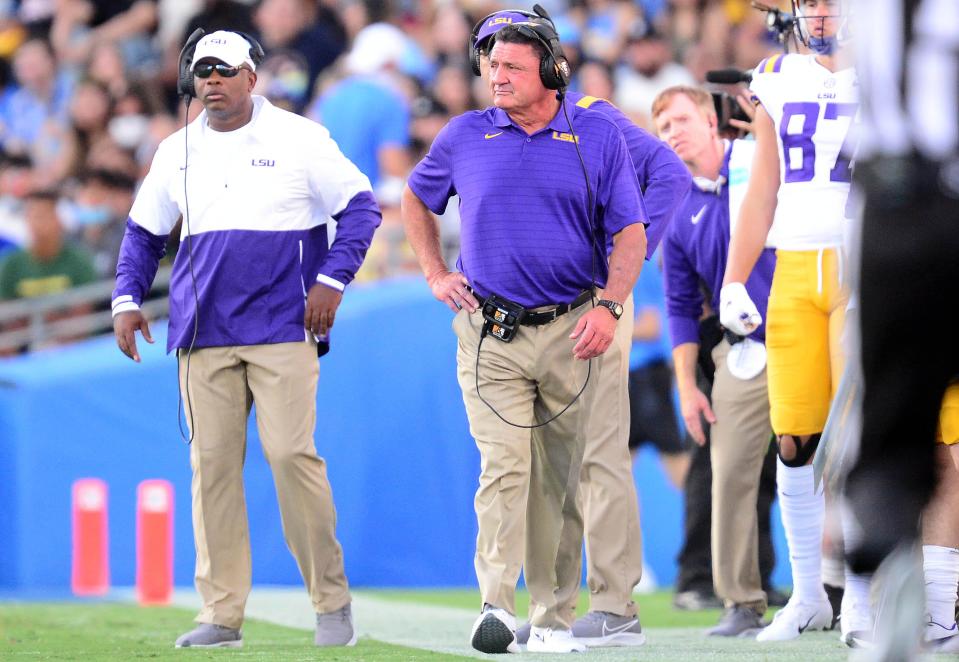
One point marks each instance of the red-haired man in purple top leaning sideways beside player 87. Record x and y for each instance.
(694, 258)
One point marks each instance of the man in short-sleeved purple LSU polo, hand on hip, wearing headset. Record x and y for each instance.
(535, 225)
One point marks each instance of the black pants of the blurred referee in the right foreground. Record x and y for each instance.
(909, 291)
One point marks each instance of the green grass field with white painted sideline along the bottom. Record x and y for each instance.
(393, 626)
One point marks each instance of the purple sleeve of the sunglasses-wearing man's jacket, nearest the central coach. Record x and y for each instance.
(355, 226)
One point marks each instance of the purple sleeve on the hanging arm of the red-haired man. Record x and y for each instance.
(684, 299)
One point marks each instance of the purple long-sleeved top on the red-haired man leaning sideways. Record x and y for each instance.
(695, 251)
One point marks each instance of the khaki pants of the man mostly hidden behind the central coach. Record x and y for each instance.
(606, 499)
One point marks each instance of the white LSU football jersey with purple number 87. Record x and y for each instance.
(813, 110)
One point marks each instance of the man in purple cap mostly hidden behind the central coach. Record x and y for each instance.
(607, 511)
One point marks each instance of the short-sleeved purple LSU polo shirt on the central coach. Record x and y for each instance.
(525, 233)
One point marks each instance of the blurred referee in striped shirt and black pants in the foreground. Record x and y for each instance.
(907, 172)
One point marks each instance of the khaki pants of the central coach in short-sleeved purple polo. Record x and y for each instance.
(526, 381)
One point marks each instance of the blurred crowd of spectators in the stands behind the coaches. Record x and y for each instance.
(88, 90)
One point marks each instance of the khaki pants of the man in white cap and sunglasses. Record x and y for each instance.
(224, 383)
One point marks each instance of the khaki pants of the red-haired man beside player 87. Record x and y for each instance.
(739, 441)
